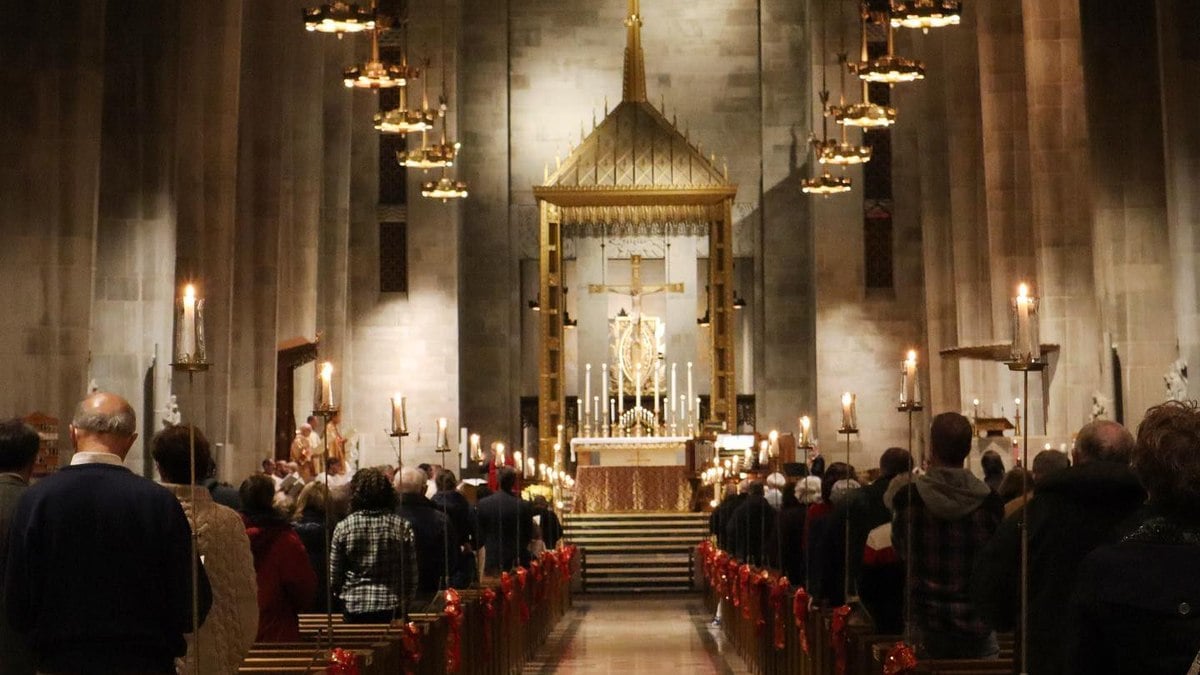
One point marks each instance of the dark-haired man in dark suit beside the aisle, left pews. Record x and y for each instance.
(506, 525)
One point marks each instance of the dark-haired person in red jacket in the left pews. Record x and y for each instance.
(287, 583)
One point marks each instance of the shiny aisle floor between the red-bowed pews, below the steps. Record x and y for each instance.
(643, 634)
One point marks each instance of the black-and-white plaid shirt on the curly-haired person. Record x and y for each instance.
(374, 561)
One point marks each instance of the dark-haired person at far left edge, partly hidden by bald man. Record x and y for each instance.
(19, 452)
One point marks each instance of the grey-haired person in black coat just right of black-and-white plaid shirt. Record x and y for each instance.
(437, 543)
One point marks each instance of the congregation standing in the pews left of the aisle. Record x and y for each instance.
(99, 571)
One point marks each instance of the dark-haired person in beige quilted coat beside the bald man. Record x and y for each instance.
(230, 631)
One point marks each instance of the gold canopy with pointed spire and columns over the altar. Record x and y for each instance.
(635, 169)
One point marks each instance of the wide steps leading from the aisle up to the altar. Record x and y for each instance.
(637, 552)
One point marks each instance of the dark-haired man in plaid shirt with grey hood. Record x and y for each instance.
(940, 523)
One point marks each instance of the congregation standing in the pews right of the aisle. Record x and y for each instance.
(1114, 545)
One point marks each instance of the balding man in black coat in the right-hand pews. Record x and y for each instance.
(1073, 512)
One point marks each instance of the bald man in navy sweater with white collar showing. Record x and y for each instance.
(100, 564)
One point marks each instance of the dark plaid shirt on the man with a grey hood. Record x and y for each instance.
(944, 554)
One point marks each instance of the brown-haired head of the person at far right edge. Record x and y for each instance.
(1167, 458)
